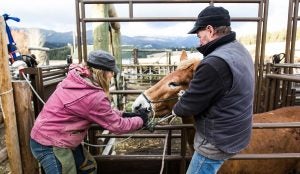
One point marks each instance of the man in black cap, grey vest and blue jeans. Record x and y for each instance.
(220, 95)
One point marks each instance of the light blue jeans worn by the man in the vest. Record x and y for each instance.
(202, 165)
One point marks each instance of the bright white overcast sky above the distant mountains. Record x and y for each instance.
(59, 15)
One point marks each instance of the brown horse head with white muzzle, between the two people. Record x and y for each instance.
(161, 97)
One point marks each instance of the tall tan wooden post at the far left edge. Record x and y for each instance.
(7, 103)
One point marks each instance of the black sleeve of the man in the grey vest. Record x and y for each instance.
(211, 81)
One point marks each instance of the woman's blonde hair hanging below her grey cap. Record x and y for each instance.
(99, 78)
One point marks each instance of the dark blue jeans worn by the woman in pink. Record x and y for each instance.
(48, 160)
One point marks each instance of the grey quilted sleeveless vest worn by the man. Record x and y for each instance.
(228, 123)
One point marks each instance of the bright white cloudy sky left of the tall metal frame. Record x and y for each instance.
(49, 14)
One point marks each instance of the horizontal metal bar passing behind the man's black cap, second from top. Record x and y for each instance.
(162, 19)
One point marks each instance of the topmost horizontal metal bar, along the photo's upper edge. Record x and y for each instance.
(166, 1)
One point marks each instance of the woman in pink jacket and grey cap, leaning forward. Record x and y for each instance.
(80, 100)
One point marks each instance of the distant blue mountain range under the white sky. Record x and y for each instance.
(55, 39)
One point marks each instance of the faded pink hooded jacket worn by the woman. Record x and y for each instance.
(72, 108)
